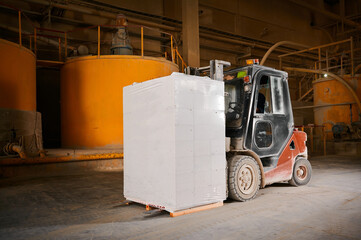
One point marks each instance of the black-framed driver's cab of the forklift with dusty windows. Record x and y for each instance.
(258, 108)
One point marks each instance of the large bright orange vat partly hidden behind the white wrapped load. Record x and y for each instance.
(92, 96)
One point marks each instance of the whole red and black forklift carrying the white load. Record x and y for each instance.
(262, 145)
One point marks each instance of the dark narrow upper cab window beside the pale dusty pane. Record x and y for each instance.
(264, 96)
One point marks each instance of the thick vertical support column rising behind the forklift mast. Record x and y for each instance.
(190, 31)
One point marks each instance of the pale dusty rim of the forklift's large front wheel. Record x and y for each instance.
(246, 177)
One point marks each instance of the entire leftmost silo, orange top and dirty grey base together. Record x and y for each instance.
(20, 124)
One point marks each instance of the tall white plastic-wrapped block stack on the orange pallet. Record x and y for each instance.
(174, 142)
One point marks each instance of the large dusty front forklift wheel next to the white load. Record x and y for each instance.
(244, 178)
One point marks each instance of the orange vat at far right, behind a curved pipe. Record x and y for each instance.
(332, 92)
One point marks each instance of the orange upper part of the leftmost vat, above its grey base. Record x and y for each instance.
(17, 77)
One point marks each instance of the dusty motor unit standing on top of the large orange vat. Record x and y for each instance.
(120, 41)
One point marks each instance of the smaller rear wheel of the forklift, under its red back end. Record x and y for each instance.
(302, 172)
